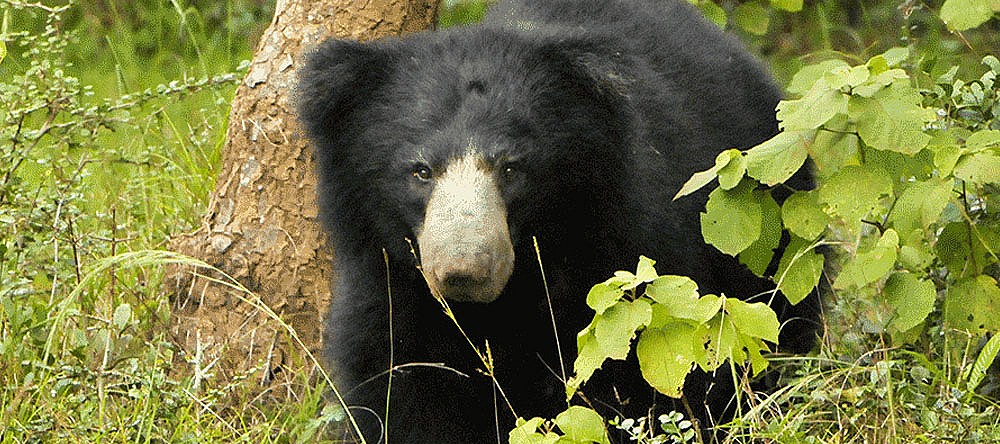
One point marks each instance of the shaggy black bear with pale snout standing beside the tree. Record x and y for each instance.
(568, 122)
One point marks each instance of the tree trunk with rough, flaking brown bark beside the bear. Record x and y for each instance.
(261, 225)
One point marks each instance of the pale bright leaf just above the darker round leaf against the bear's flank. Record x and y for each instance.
(778, 158)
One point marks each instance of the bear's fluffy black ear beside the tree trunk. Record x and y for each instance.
(339, 76)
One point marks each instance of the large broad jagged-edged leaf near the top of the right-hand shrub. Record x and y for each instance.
(892, 119)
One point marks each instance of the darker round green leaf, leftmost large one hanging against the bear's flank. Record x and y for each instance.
(732, 219)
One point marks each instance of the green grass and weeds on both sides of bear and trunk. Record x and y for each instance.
(113, 117)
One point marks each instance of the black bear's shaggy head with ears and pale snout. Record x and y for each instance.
(468, 143)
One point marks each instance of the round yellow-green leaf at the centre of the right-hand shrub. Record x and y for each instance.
(854, 191)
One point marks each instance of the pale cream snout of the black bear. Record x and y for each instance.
(465, 249)
